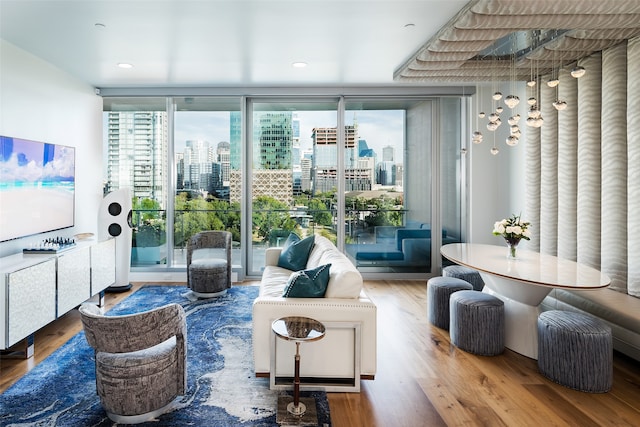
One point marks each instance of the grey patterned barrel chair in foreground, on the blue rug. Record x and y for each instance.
(140, 360)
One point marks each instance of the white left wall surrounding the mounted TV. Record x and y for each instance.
(40, 102)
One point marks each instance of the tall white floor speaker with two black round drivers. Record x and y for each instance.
(114, 220)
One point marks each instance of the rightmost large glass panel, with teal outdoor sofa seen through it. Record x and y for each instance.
(391, 224)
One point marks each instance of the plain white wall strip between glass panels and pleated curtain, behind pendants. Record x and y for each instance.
(496, 183)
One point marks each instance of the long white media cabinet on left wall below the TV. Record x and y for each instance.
(39, 288)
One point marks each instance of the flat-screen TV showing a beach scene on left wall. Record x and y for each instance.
(37, 187)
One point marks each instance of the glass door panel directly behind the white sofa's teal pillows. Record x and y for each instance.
(286, 194)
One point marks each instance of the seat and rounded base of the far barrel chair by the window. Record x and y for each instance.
(208, 277)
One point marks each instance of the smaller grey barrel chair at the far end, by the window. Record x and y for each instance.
(209, 276)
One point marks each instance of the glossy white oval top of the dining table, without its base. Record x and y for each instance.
(529, 267)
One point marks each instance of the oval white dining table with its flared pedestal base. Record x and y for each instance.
(522, 283)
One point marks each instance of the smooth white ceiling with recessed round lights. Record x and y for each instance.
(190, 43)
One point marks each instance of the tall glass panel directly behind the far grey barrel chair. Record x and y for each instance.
(207, 155)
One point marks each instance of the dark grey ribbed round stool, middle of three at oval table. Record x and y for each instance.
(477, 322)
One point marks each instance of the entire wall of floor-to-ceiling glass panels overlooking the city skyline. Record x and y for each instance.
(378, 176)
